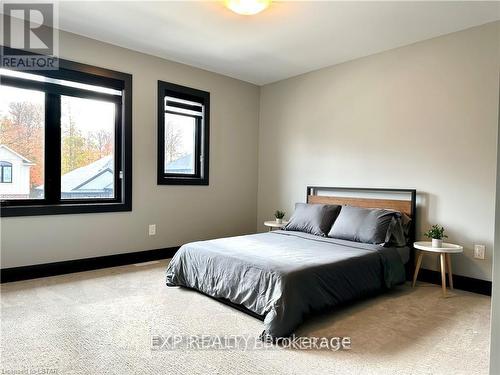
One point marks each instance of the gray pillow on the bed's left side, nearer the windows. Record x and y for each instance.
(313, 218)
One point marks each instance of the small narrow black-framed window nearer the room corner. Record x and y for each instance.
(183, 135)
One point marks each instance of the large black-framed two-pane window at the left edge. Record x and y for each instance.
(65, 142)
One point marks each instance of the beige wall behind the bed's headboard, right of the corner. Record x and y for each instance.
(423, 116)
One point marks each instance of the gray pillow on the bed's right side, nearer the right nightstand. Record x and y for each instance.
(367, 225)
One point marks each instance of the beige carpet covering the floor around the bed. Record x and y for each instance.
(101, 322)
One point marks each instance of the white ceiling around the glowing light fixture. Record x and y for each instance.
(287, 39)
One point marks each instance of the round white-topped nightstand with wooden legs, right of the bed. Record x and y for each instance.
(445, 258)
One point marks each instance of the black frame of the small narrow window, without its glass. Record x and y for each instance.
(202, 135)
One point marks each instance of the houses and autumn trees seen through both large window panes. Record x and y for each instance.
(87, 144)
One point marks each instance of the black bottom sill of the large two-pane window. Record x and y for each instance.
(59, 209)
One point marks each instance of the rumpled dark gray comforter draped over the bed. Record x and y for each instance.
(284, 276)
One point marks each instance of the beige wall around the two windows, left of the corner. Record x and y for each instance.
(182, 213)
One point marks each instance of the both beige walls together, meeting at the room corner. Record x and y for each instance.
(422, 116)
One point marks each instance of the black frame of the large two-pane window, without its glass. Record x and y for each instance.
(53, 203)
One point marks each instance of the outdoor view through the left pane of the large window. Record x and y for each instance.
(22, 127)
